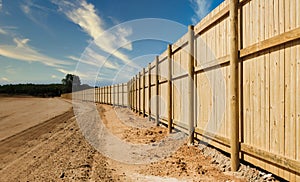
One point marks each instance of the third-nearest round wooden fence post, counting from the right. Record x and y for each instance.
(169, 89)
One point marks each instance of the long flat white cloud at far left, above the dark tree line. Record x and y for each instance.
(23, 52)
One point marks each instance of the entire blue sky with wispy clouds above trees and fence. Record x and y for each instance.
(102, 41)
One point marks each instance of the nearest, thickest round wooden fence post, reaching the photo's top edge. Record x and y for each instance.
(234, 104)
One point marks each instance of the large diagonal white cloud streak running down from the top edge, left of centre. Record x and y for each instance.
(84, 15)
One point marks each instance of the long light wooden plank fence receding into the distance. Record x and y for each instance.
(194, 81)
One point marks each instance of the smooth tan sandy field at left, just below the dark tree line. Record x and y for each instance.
(20, 113)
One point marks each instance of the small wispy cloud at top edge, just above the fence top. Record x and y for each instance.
(201, 8)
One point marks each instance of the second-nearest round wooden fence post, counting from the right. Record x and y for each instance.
(190, 90)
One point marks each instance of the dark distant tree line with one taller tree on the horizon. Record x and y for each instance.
(69, 83)
